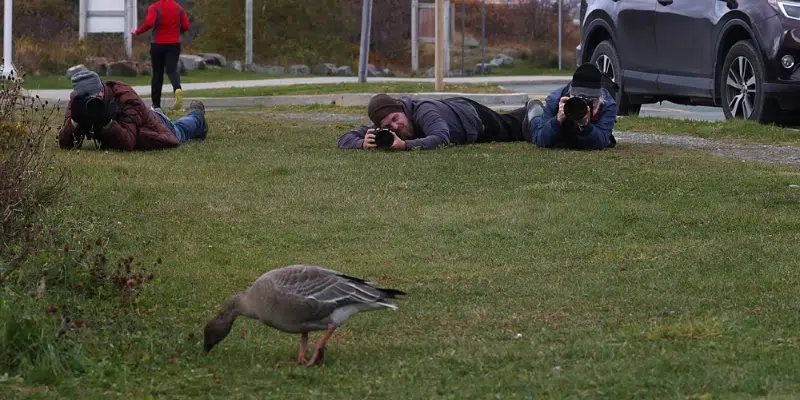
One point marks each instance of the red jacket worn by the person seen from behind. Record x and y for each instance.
(167, 19)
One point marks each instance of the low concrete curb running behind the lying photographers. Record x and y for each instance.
(339, 99)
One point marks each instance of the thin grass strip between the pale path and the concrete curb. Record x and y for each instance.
(367, 87)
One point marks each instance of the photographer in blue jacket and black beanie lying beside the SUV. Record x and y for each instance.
(580, 115)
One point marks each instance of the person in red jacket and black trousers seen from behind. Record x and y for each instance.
(168, 20)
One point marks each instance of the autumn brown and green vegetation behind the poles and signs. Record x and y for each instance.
(293, 32)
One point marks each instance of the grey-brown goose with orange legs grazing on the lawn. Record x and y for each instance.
(299, 299)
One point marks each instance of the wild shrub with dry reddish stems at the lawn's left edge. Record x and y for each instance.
(56, 278)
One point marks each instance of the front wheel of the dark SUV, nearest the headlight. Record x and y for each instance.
(740, 83)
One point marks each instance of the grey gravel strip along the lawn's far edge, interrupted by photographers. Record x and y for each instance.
(763, 153)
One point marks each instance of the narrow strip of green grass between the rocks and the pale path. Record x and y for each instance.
(206, 75)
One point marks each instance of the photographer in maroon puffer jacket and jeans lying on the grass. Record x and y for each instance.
(112, 114)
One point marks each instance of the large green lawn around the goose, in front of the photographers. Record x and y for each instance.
(641, 271)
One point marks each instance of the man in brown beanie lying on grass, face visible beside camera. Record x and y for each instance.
(429, 124)
